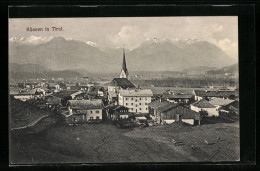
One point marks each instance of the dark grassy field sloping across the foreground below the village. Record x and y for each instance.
(106, 143)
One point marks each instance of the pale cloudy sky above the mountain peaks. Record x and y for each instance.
(130, 32)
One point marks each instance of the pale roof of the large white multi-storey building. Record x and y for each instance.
(136, 93)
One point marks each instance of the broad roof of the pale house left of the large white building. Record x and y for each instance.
(86, 104)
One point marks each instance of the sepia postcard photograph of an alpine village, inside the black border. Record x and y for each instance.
(123, 90)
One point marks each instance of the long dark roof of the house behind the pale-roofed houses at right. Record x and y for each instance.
(203, 93)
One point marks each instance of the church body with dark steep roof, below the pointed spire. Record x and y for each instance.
(120, 83)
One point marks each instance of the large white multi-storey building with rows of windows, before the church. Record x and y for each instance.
(136, 100)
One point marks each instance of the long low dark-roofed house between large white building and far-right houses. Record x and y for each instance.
(179, 98)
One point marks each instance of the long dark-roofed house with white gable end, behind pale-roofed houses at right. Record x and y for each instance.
(206, 94)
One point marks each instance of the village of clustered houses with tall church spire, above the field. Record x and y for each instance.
(121, 101)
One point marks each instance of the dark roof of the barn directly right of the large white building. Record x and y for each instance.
(162, 106)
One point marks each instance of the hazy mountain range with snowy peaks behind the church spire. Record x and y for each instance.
(59, 53)
